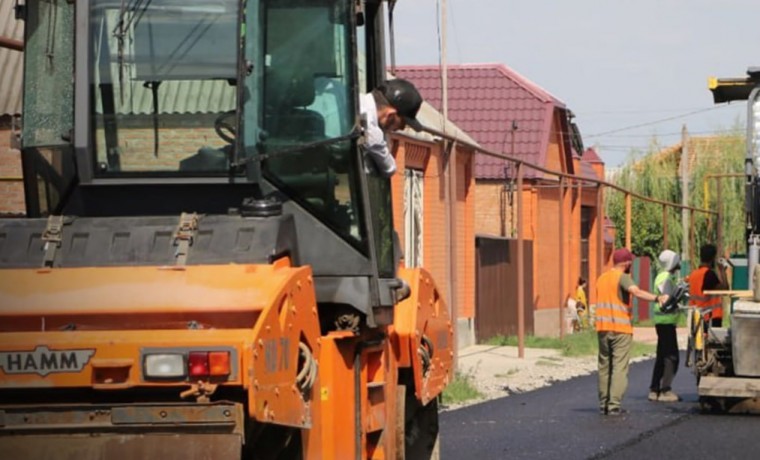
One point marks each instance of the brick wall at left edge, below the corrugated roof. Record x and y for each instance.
(11, 186)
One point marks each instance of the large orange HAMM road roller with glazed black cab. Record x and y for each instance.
(206, 270)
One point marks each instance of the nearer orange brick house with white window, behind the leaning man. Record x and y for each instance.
(421, 209)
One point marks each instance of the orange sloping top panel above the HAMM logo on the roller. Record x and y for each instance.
(139, 289)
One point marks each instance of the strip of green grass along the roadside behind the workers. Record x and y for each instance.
(573, 345)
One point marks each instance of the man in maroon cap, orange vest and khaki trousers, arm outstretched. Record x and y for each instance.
(614, 327)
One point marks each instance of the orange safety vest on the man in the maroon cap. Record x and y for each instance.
(612, 314)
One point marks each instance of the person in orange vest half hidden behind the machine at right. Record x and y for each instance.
(710, 275)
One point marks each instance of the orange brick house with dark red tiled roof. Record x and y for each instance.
(507, 113)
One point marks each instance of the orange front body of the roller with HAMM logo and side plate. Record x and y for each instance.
(262, 312)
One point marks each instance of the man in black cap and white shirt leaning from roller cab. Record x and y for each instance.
(392, 106)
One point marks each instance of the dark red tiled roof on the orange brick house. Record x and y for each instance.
(484, 100)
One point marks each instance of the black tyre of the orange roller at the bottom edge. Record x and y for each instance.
(418, 436)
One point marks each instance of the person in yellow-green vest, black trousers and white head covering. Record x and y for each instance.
(666, 360)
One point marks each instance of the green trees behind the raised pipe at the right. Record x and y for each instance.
(655, 174)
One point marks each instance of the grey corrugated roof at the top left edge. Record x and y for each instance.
(11, 61)
